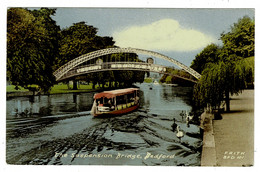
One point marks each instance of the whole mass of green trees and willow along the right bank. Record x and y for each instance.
(232, 71)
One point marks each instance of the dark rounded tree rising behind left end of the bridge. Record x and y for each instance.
(81, 39)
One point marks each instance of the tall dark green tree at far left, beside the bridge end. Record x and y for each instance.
(31, 47)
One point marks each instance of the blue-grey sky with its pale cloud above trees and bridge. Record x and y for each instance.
(180, 33)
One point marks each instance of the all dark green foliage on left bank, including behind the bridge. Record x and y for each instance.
(36, 47)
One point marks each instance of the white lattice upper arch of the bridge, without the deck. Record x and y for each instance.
(86, 57)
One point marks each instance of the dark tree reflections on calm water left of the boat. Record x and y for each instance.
(45, 105)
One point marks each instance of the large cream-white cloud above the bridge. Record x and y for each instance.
(165, 34)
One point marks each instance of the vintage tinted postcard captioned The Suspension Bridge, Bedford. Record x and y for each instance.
(130, 86)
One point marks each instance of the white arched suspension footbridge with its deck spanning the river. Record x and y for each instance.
(75, 67)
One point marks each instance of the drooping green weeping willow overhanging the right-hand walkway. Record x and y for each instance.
(221, 79)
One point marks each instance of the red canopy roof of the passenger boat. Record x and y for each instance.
(114, 93)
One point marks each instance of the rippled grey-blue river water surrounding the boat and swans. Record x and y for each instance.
(58, 129)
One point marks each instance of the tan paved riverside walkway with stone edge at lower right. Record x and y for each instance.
(230, 141)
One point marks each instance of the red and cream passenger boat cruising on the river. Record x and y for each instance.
(115, 102)
